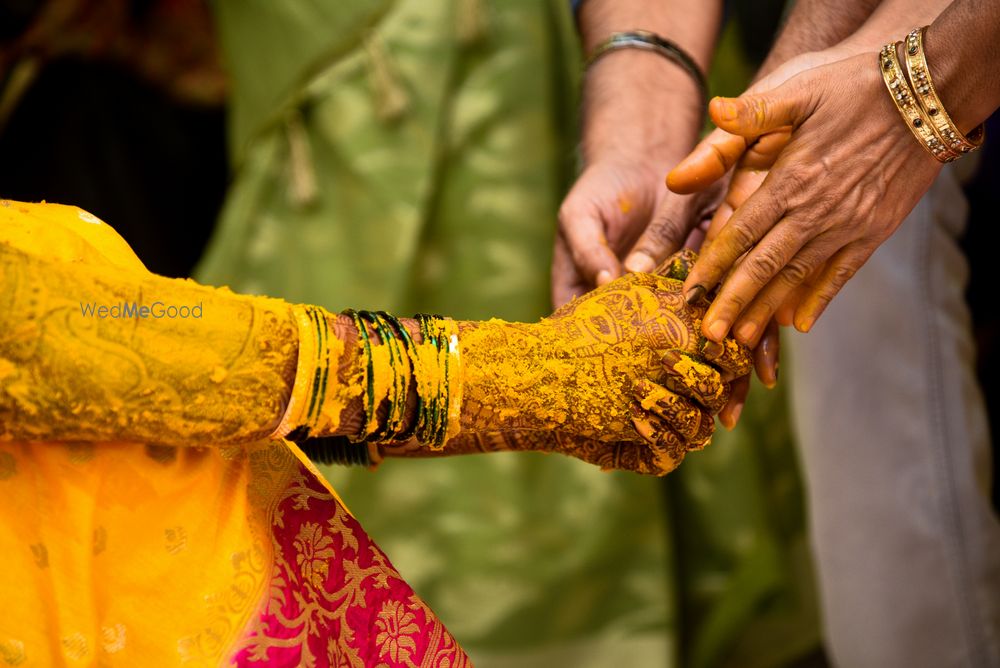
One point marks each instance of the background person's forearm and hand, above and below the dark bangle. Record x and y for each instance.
(641, 113)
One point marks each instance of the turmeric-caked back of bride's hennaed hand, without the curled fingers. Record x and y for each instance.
(575, 370)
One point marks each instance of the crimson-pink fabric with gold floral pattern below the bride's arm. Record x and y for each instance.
(334, 599)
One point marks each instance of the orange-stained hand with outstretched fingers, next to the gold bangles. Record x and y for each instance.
(849, 174)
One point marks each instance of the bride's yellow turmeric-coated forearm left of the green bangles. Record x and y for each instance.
(101, 353)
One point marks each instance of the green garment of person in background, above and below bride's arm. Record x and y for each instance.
(410, 156)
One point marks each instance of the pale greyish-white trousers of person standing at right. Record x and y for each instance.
(896, 454)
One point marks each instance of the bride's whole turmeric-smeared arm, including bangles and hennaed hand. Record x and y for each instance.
(96, 352)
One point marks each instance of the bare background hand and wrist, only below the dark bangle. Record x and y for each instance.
(631, 134)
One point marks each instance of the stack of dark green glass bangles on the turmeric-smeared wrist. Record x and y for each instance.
(392, 365)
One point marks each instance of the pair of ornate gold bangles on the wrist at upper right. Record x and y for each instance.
(918, 103)
